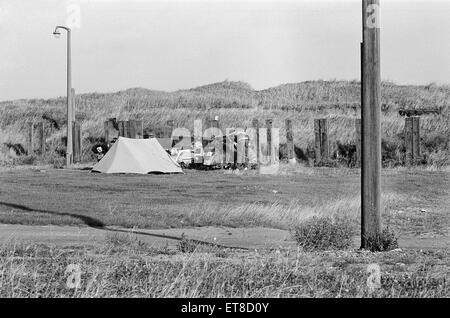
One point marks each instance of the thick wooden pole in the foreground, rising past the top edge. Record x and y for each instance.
(371, 124)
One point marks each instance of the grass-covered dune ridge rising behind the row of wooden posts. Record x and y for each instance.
(236, 104)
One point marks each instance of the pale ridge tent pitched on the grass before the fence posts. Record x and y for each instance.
(143, 156)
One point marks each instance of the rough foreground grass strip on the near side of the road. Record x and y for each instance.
(41, 271)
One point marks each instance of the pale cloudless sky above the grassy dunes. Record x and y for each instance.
(170, 45)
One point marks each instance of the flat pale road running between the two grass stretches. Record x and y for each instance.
(247, 238)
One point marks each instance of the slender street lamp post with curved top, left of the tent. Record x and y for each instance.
(69, 152)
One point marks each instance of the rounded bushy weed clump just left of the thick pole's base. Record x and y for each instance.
(324, 233)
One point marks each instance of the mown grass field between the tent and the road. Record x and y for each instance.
(415, 201)
